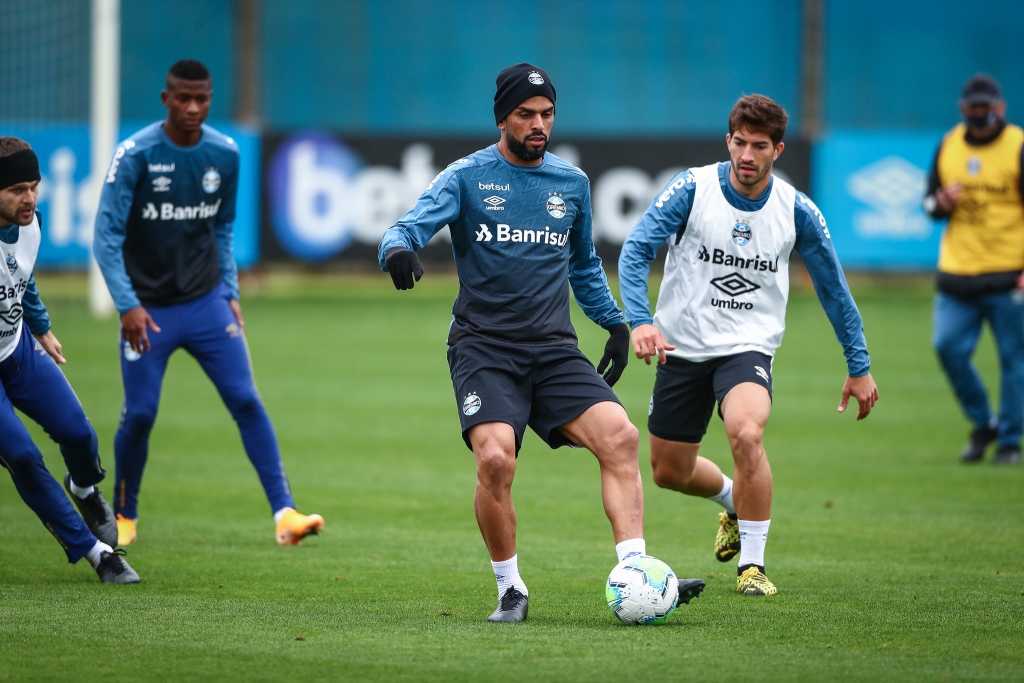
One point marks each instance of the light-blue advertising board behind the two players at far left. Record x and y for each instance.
(68, 201)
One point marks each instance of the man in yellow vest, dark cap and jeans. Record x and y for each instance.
(977, 183)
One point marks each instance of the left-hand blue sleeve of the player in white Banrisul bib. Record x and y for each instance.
(666, 217)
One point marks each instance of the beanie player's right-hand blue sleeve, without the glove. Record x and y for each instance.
(590, 285)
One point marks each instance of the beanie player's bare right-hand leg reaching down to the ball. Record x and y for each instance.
(606, 431)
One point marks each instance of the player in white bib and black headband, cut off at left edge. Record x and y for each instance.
(32, 382)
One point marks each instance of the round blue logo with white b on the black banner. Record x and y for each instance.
(310, 183)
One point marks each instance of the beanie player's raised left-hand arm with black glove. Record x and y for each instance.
(438, 207)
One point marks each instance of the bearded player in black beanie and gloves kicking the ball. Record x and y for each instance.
(521, 222)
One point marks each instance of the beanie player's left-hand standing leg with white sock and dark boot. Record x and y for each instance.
(494, 448)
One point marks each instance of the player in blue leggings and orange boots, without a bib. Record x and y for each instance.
(163, 241)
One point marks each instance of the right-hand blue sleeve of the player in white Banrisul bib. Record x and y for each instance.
(816, 248)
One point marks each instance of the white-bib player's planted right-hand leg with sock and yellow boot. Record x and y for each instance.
(746, 410)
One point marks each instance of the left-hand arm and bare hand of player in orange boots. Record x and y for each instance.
(108, 246)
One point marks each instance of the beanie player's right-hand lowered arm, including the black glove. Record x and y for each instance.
(590, 287)
